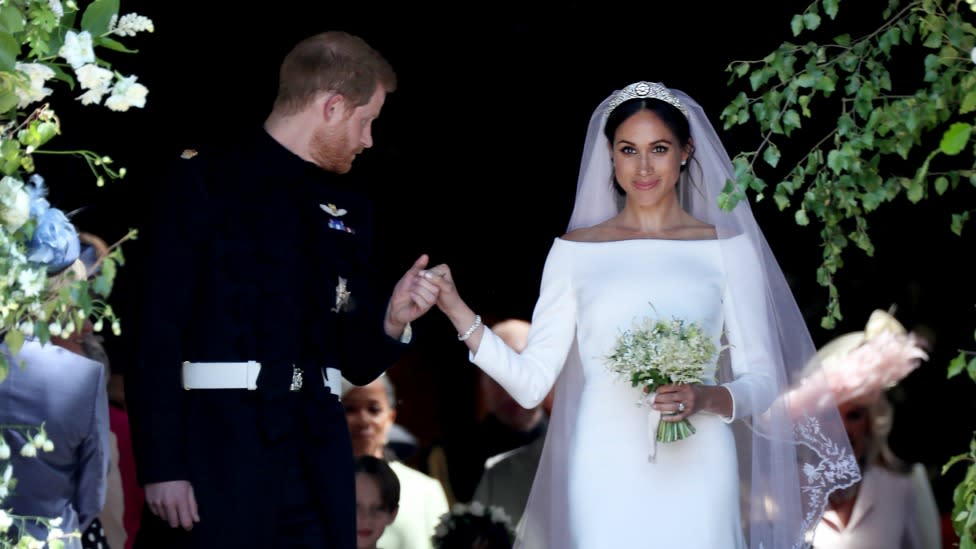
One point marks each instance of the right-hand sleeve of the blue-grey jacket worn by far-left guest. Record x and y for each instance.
(93, 455)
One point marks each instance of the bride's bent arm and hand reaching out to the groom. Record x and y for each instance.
(527, 376)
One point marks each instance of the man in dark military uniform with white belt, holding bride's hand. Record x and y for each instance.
(256, 298)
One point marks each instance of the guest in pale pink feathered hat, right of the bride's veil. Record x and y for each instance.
(893, 507)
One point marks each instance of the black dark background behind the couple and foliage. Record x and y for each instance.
(476, 159)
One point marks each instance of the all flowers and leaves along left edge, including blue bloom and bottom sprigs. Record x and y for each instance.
(41, 45)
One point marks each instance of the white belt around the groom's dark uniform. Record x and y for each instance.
(244, 375)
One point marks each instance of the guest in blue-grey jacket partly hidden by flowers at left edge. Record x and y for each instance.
(58, 387)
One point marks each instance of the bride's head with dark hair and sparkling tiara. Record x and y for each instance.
(650, 140)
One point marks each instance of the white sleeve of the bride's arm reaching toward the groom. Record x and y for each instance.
(528, 376)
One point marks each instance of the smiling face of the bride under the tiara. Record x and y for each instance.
(646, 158)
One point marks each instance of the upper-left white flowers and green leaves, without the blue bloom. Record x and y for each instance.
(42, 46)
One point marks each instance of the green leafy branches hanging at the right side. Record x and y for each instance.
(881, 138)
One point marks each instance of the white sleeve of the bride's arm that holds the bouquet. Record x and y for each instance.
(753, 388)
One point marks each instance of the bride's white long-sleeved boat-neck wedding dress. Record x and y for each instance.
(614, 497)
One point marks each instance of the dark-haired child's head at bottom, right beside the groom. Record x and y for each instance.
(377, 499)
